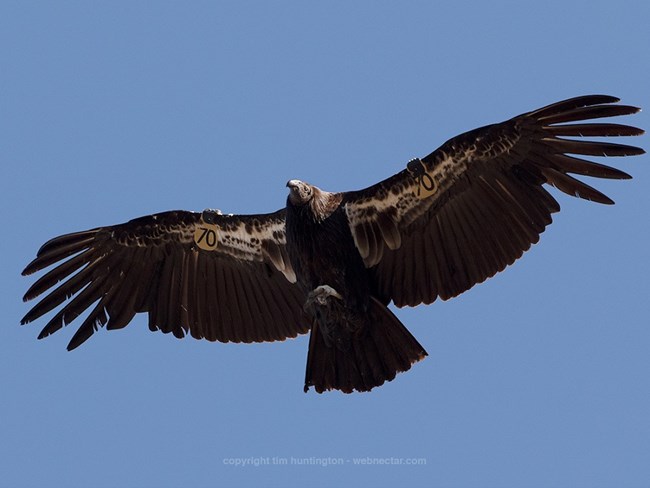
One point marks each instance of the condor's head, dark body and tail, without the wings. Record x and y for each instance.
(357, 343)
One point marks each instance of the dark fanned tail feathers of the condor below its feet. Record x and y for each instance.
(381, 349)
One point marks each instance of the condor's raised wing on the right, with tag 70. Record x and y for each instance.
(473, 206)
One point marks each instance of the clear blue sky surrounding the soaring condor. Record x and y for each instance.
(113, 110)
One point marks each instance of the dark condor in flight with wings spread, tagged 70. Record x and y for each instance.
(330, 263)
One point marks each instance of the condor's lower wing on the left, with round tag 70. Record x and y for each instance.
(218, 277)
